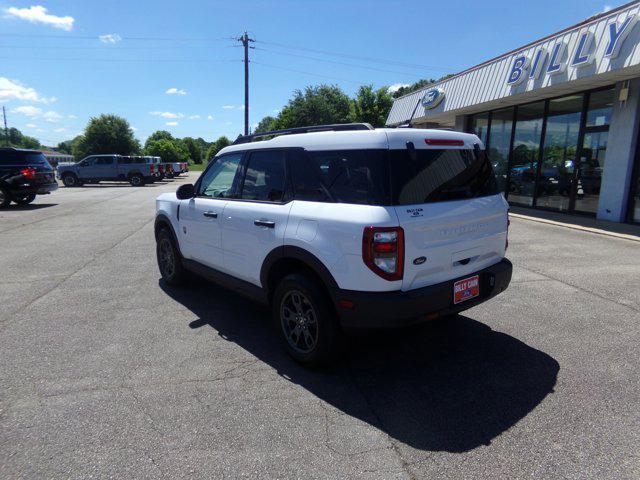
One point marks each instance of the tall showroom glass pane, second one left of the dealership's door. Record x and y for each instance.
(524, 156)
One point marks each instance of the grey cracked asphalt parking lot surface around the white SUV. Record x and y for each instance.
(106, 372)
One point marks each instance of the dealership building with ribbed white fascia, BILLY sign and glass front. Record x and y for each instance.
(560, 117)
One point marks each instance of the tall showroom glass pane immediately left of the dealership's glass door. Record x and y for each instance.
(555, 182)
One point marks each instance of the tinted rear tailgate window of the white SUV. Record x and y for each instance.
(440, 175)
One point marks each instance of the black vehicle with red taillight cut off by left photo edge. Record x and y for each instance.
(23, 175)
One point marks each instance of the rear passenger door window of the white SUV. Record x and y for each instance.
(265, 177)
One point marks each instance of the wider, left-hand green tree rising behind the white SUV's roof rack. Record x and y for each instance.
(323, 104)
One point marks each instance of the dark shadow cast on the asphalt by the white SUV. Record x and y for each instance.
(439, 387)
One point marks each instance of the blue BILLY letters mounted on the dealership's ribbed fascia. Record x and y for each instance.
(551, 60)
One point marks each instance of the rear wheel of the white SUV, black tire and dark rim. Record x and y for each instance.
(318, 338)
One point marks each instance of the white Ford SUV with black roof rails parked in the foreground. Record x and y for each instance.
(342, 227)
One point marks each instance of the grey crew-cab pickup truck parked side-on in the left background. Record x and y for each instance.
(96, 168)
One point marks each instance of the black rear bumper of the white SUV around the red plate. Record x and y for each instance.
(398, 308)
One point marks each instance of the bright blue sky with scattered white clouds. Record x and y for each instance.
(175, 66)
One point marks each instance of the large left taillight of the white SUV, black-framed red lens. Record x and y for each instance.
(383, 251)
